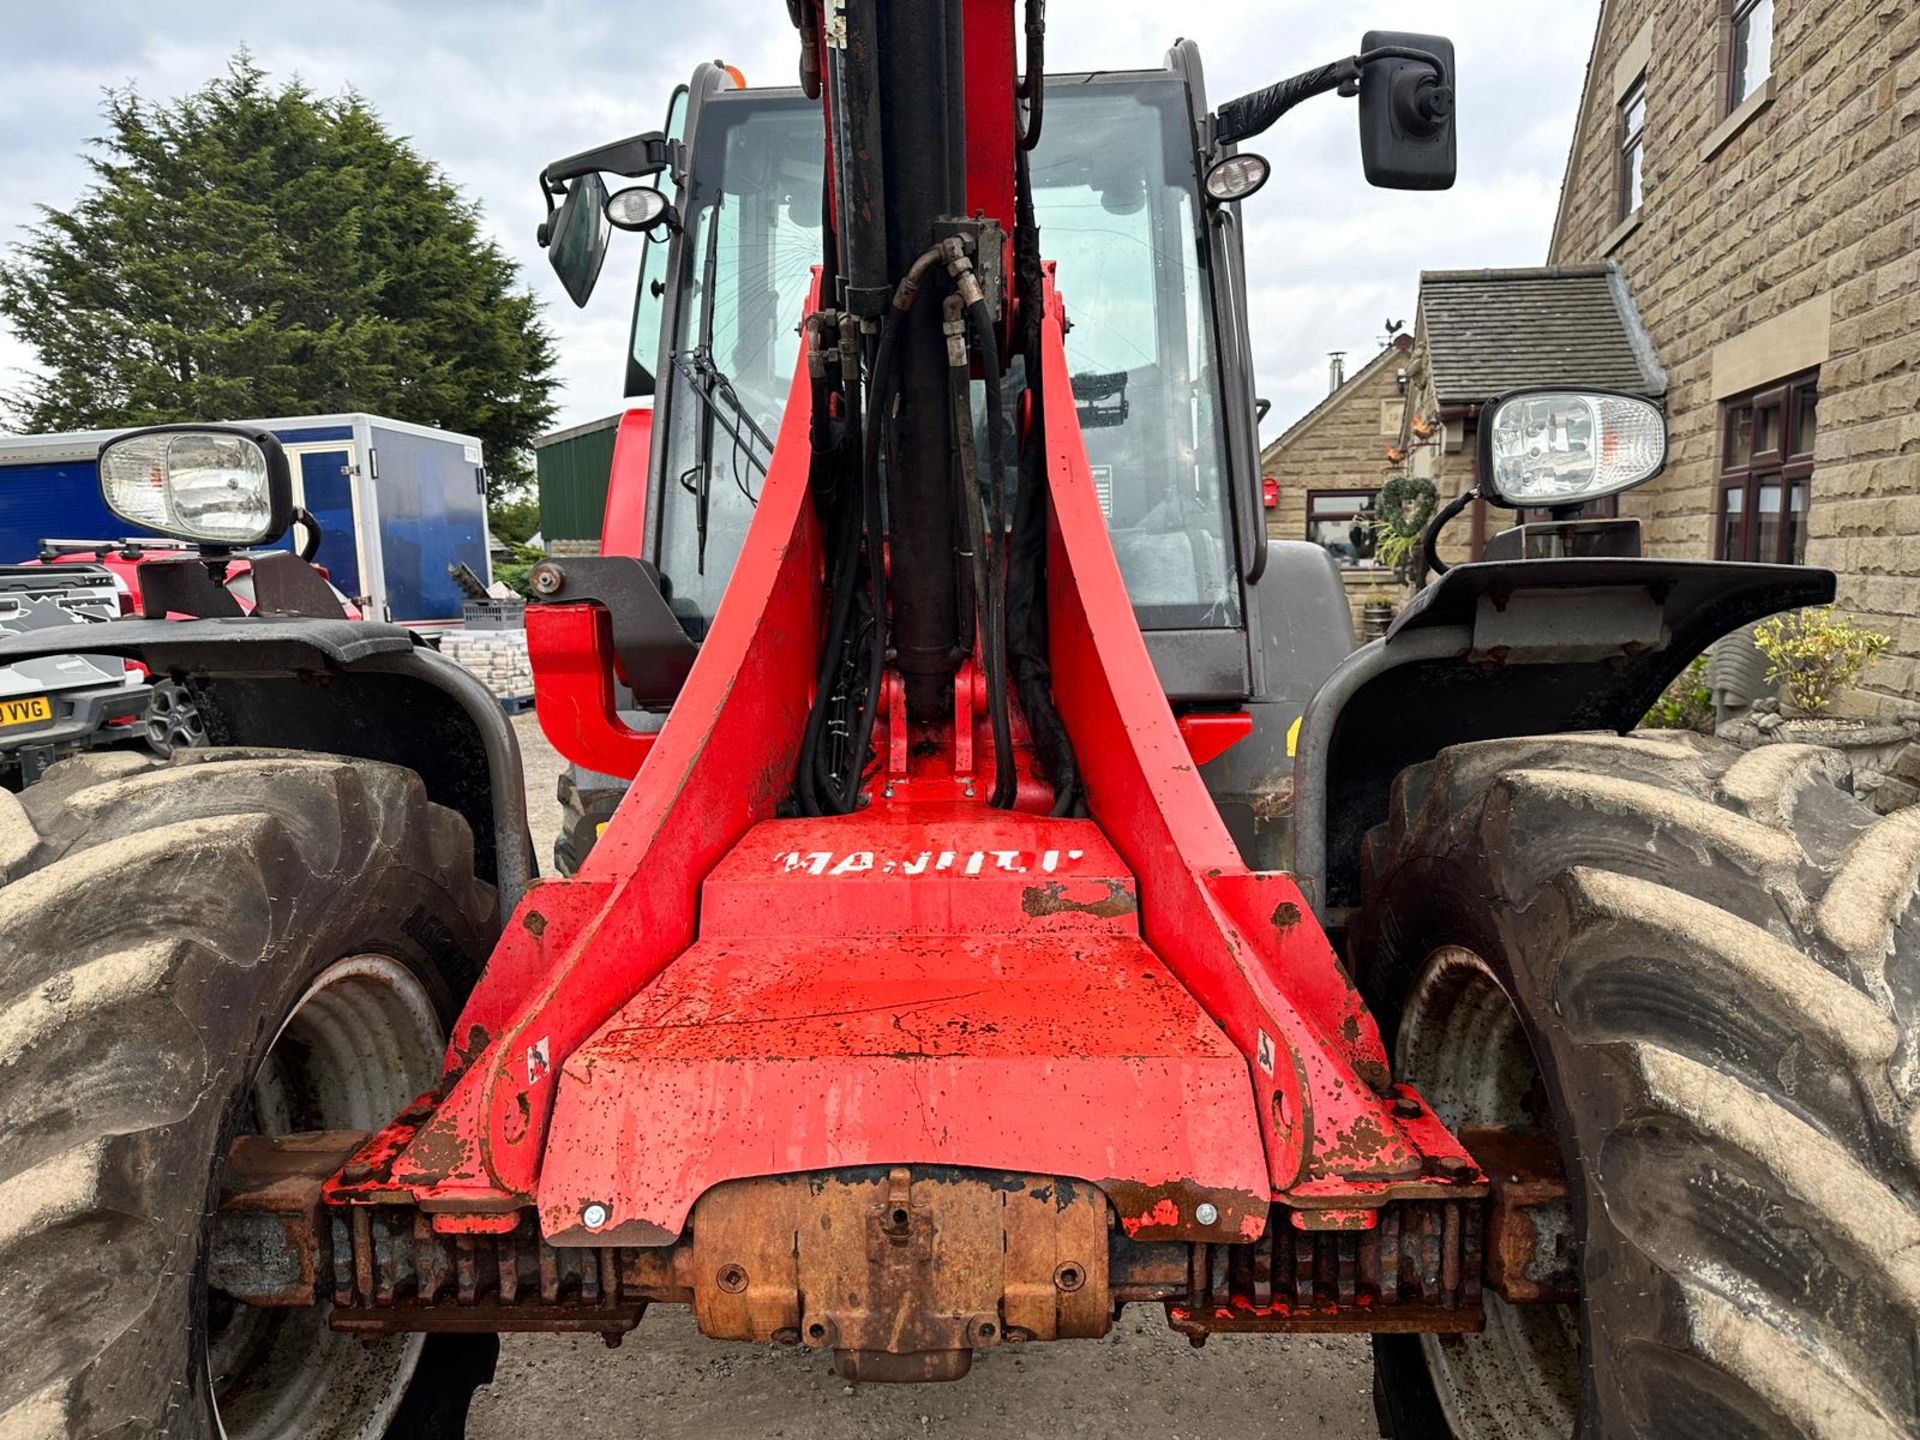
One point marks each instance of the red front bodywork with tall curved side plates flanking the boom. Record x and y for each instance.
(721, 994)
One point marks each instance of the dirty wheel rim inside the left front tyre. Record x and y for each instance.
(358, 1047)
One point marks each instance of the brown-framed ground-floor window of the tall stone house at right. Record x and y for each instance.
(1788, 466)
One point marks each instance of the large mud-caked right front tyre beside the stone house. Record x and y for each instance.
(1698, 971)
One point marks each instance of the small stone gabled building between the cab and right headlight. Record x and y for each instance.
(1332, 462)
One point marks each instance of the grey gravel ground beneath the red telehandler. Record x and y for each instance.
(669, 1383)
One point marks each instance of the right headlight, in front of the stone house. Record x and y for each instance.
(1570, 446)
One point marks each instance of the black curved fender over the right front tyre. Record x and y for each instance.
(1514, 648)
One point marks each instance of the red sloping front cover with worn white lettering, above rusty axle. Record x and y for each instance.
(915, 1001)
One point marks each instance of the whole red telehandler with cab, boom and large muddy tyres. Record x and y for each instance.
(930, 990)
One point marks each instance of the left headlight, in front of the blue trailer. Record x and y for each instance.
(218, 485)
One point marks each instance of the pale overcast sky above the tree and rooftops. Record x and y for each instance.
(494, 89)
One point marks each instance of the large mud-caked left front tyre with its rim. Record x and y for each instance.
(241, 942)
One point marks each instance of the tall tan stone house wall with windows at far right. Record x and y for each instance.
(1754, 170)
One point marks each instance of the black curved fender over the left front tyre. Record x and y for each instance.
(345, 688)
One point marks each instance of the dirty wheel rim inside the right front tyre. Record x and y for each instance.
(1464, 1047)
